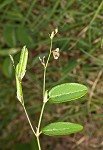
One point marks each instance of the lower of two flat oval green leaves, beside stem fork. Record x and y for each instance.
(61, 128)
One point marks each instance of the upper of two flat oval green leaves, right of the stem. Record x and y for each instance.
(67, 92)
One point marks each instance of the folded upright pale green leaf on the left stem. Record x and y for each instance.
(21, 66)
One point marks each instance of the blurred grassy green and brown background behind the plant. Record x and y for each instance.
(80, 24)
